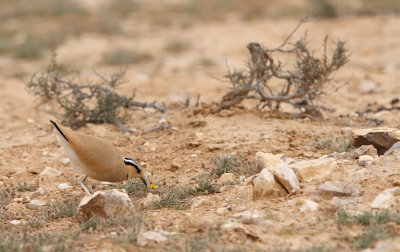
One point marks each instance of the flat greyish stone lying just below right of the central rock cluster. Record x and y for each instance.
(339, 189)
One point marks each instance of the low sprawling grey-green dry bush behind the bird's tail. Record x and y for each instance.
(80, 103)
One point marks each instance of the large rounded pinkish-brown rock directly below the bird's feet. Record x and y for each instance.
(106, 204)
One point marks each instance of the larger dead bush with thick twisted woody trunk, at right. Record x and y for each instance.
(272, 83)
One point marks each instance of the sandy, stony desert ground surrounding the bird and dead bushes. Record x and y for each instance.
(182, 49)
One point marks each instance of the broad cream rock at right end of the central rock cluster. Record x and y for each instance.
(308, 170)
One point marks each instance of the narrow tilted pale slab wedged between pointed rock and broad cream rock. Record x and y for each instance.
(286, 177)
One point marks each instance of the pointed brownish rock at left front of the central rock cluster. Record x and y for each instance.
(265, 186)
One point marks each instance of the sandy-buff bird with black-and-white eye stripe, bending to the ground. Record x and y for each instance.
(97, 158)
